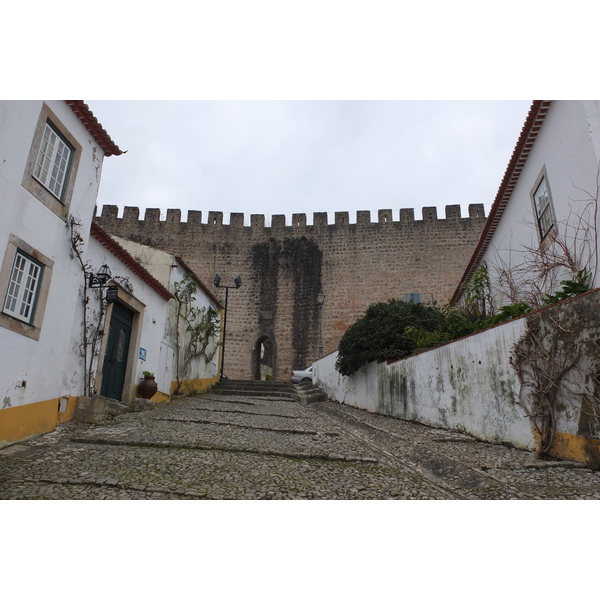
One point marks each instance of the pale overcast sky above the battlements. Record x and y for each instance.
(285, 157)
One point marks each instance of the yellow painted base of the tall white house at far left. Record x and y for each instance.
(21, 422)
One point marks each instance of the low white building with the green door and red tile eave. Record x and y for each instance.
(131, 328)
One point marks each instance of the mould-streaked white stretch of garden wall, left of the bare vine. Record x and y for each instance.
(466, 386)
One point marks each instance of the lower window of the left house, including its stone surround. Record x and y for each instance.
(25, 276)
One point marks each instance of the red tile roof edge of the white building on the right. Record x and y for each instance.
(535, 118)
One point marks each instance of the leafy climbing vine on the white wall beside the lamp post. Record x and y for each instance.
(196, 329)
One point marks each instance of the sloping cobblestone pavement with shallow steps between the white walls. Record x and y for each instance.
(231, 447)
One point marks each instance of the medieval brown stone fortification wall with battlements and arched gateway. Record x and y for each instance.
(283, 267)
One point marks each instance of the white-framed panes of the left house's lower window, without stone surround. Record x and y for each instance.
(23, 288)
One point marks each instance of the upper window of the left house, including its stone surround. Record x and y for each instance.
(52, 163)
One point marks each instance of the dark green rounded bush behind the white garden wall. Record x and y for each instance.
(379, 334)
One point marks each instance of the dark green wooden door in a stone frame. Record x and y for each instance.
(117, 348)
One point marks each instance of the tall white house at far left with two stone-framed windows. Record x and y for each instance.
(51, 156)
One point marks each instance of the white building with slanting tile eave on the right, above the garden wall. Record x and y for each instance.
(542, 226)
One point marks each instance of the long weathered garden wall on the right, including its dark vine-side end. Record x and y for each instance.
(470, 386)
